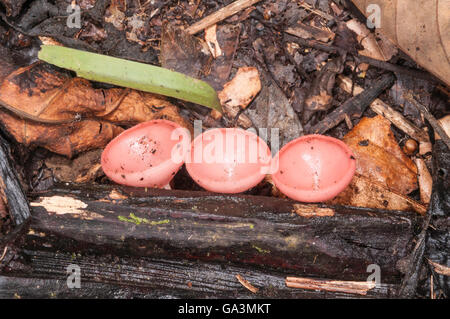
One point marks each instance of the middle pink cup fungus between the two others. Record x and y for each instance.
(228, 160)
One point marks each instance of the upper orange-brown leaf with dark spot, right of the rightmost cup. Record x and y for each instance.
(379, 157)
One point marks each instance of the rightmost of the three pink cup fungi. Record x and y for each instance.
(313, 168)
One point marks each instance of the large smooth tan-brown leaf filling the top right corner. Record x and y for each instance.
(421, 29)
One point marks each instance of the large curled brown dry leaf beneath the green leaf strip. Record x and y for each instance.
(67, 115)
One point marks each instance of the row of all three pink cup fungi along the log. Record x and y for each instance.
(311, 168)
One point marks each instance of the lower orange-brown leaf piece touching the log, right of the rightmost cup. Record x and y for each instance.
(364, 192)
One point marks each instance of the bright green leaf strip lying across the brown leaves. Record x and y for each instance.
(135, 75)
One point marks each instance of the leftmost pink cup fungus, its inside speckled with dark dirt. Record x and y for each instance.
(146, 155)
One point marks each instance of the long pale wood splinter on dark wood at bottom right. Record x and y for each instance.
(352, 287)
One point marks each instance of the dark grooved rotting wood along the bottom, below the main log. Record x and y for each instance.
(44, 274)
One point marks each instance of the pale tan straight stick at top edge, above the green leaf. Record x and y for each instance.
(220, 15)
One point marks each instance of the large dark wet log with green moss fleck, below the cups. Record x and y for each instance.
(254, 231)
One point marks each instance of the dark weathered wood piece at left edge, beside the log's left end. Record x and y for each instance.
(10, 188)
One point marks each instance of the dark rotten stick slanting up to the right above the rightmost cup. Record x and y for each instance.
(355, 106)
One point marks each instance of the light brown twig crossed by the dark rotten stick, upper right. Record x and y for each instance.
(383, 109)
